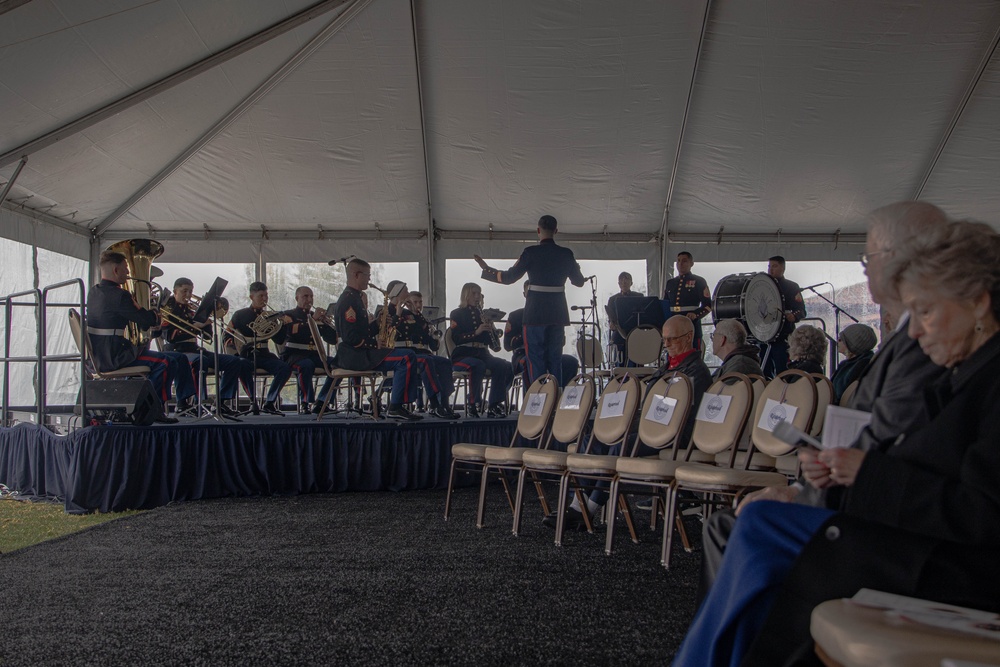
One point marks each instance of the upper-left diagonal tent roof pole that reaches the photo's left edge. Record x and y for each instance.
(170, 81)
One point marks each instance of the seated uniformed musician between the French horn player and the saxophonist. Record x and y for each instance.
(300, 349)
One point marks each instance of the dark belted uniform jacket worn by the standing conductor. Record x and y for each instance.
(547, 265)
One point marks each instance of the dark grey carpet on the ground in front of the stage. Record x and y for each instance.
(345, 579)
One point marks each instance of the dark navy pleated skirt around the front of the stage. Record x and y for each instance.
(114, 468)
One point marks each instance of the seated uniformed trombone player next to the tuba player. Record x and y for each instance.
(181, 334)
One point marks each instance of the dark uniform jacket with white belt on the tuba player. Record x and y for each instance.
(110, 307)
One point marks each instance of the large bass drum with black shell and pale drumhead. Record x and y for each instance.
(752, 298)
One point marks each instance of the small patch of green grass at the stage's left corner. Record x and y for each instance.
(23, 523)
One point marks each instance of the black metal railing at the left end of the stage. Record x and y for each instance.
(41, 306)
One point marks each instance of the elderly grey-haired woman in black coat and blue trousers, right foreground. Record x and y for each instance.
(918, 515)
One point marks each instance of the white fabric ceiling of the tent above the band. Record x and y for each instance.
(803, 116)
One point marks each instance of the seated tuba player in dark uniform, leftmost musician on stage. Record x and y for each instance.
(109, 310)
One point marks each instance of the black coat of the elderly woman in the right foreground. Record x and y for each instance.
(922, 518)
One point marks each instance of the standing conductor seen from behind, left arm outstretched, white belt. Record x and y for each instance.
(546, 314)
